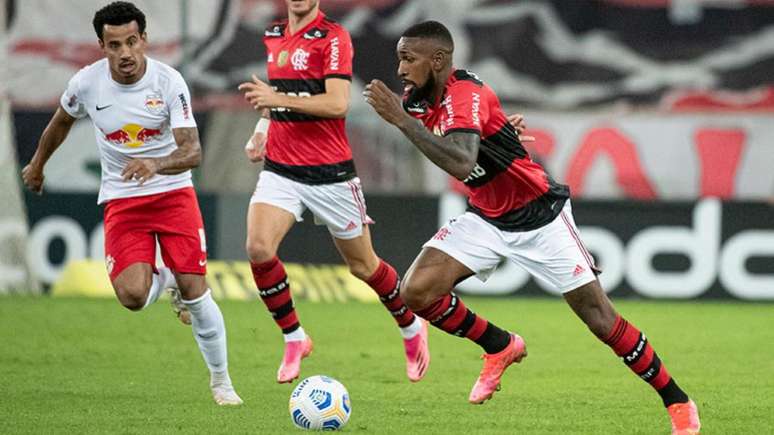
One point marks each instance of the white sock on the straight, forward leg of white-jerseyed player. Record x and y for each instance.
(209, 331)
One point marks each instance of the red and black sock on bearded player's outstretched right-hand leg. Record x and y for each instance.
(632, 346)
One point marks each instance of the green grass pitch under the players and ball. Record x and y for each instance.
(89, 366)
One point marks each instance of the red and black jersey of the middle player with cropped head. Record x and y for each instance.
(307, 148)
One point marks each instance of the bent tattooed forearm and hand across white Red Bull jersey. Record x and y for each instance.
(188, 155)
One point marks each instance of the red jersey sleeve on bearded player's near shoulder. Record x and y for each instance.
(465, 110)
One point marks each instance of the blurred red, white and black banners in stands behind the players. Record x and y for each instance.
(642, 99)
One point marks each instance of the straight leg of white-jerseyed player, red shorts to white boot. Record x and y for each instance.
(181, 237)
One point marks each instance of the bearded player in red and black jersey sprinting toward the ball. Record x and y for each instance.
(516, 212)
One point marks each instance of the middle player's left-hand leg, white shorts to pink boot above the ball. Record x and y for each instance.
(274, 208)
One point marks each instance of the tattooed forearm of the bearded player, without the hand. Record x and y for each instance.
(455, 153)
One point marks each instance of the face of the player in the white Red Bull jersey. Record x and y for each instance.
(124, 46)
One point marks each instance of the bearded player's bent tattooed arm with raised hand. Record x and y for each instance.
(455, 153)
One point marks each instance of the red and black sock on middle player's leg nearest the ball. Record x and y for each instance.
(273, 287)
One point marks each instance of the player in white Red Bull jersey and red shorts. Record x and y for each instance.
(148, 143)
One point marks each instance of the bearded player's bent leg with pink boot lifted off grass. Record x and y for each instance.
(427, 289)
